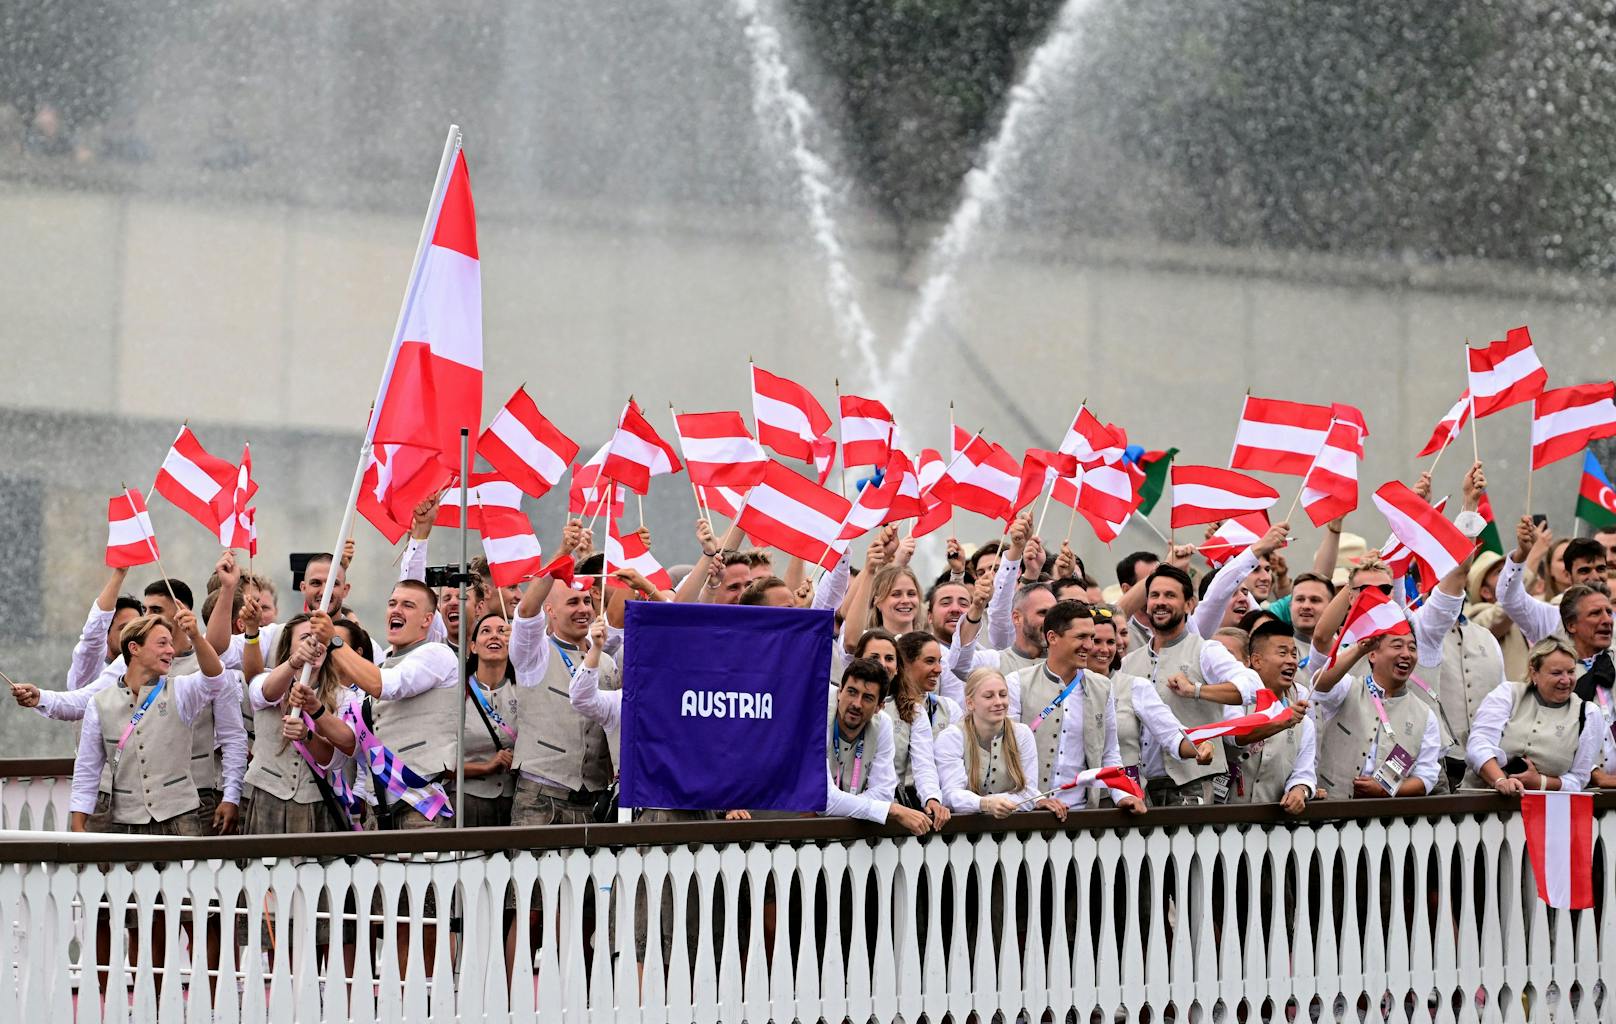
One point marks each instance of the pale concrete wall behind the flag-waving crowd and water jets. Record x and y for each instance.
(269, 324)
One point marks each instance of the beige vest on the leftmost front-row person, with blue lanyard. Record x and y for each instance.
(154, 774)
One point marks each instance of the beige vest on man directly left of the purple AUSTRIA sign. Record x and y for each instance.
(557, 742)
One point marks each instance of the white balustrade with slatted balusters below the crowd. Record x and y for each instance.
(1339, 920)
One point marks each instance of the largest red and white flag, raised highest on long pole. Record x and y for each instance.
(434, 382)
